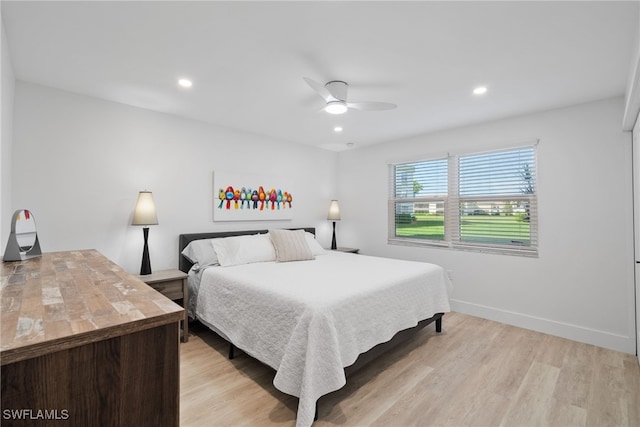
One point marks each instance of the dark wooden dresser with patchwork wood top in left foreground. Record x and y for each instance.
(87, 344)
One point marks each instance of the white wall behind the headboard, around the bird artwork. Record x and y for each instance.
(79, 162)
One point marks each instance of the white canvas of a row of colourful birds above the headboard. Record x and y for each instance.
(240, 197)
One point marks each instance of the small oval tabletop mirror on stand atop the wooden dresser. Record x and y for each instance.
(23, 241)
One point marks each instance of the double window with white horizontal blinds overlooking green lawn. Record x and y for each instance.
(484, 201)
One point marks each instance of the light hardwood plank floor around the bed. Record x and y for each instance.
(475, 373)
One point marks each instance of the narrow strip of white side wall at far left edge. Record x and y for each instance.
(7, 85)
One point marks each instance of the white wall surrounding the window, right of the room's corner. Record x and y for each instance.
(581, 285)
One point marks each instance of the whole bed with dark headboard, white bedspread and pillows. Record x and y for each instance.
(311, 318)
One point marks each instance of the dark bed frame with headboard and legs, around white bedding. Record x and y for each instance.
(364, 358)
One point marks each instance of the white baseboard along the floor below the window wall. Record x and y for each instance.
(604, 339)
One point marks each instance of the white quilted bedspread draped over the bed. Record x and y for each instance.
(310, 319)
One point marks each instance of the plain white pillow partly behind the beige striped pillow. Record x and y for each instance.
(237, 250)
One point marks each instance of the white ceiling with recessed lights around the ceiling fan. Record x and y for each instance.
(247, 59)
